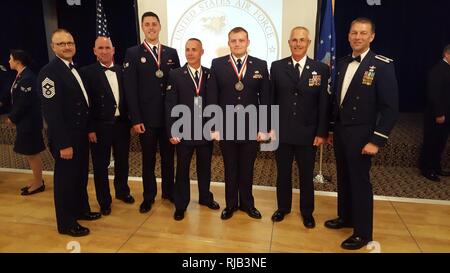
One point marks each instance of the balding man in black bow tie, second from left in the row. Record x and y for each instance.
(109, 127)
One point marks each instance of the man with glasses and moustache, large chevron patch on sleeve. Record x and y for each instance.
(65, 106)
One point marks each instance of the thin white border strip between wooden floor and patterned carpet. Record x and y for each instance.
(271, 188)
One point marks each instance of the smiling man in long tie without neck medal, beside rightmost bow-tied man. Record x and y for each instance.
(300, 88)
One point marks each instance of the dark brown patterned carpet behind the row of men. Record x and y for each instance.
(394, 171)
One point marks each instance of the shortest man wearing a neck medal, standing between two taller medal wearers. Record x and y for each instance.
(187, 87)
